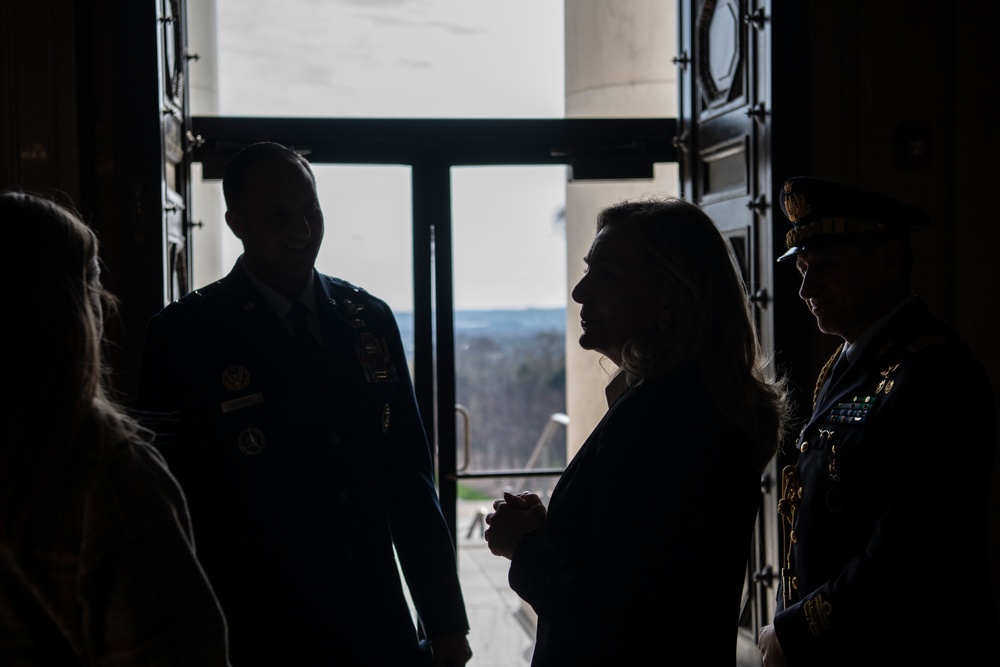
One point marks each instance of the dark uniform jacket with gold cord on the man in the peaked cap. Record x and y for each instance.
(886, 511)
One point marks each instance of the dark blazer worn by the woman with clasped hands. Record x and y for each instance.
(644, 555)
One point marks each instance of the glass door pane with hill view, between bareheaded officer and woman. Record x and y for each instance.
(509, 271)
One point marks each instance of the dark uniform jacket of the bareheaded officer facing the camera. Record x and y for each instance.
(304, 468)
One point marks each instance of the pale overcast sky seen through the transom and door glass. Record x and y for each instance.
(414, 58)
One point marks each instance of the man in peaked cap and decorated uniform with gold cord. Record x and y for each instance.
(885, 513)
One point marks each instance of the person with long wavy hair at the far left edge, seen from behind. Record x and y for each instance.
(97, 559)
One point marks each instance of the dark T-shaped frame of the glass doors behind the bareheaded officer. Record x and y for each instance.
(594, 149)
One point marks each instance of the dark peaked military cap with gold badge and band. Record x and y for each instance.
(825, 213)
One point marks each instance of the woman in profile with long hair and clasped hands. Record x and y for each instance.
(641, 555)
